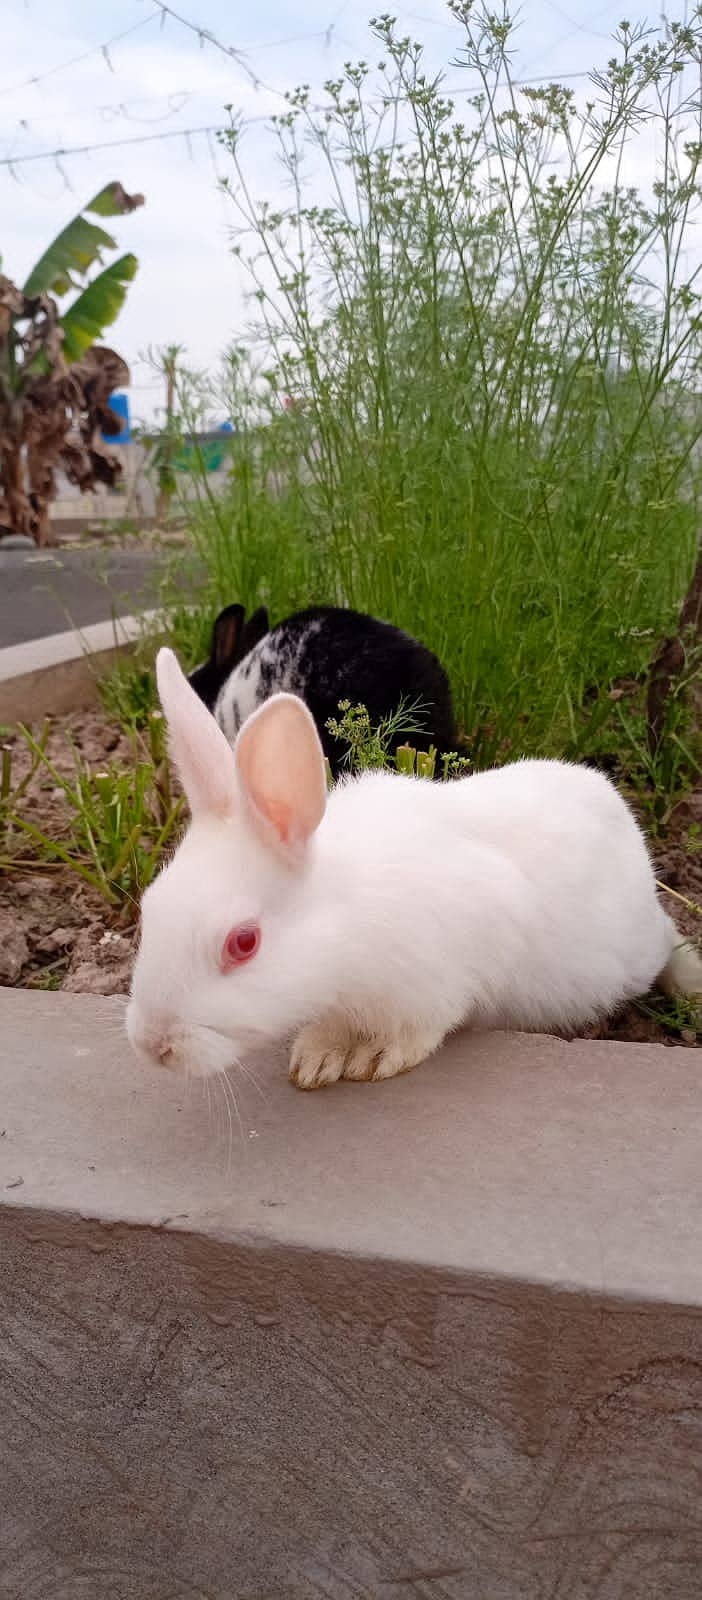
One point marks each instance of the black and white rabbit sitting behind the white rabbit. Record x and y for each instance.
(324, 655)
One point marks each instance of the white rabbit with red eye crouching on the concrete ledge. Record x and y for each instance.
(373, 921)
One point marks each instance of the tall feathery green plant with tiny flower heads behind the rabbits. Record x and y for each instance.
(493, 345)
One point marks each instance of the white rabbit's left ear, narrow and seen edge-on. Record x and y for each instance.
(202, 754)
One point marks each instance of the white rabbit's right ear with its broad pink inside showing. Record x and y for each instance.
(282, 772)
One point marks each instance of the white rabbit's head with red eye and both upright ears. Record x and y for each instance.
(231, 930)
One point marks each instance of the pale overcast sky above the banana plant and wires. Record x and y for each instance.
(154, 81)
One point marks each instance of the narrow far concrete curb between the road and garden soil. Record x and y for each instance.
(62, 671)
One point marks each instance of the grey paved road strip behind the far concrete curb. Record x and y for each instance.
(50, 591)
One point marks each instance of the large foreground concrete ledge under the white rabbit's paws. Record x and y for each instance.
(431, 1338)
